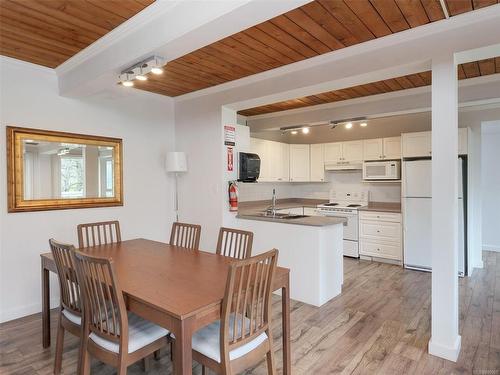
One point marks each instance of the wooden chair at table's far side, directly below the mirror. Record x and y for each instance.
(101, 233)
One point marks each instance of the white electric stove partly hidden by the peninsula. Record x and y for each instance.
(345, 203)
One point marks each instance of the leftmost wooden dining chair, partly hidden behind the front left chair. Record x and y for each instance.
(70, 313)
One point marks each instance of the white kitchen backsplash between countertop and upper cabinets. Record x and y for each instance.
(379, 192)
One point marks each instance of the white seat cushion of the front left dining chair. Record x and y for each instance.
(141, 332)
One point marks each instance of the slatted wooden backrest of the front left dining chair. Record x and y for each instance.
(105, 311)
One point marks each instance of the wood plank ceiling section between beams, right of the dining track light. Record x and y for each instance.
(313, 29)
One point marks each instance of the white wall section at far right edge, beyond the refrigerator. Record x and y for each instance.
(490, 185)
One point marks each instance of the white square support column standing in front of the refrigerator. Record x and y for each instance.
(445, 340)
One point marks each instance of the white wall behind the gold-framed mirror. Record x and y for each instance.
(29, 98)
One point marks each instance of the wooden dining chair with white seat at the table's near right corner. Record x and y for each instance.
(243, 336)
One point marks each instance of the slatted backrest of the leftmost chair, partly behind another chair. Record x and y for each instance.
(68, 283)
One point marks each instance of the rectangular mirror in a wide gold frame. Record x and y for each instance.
(49, 170)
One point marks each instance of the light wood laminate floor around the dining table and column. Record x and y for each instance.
(380, 324)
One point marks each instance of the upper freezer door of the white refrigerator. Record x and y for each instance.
(417, 179)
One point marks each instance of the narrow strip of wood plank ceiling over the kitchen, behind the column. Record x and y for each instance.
(468, 70)
